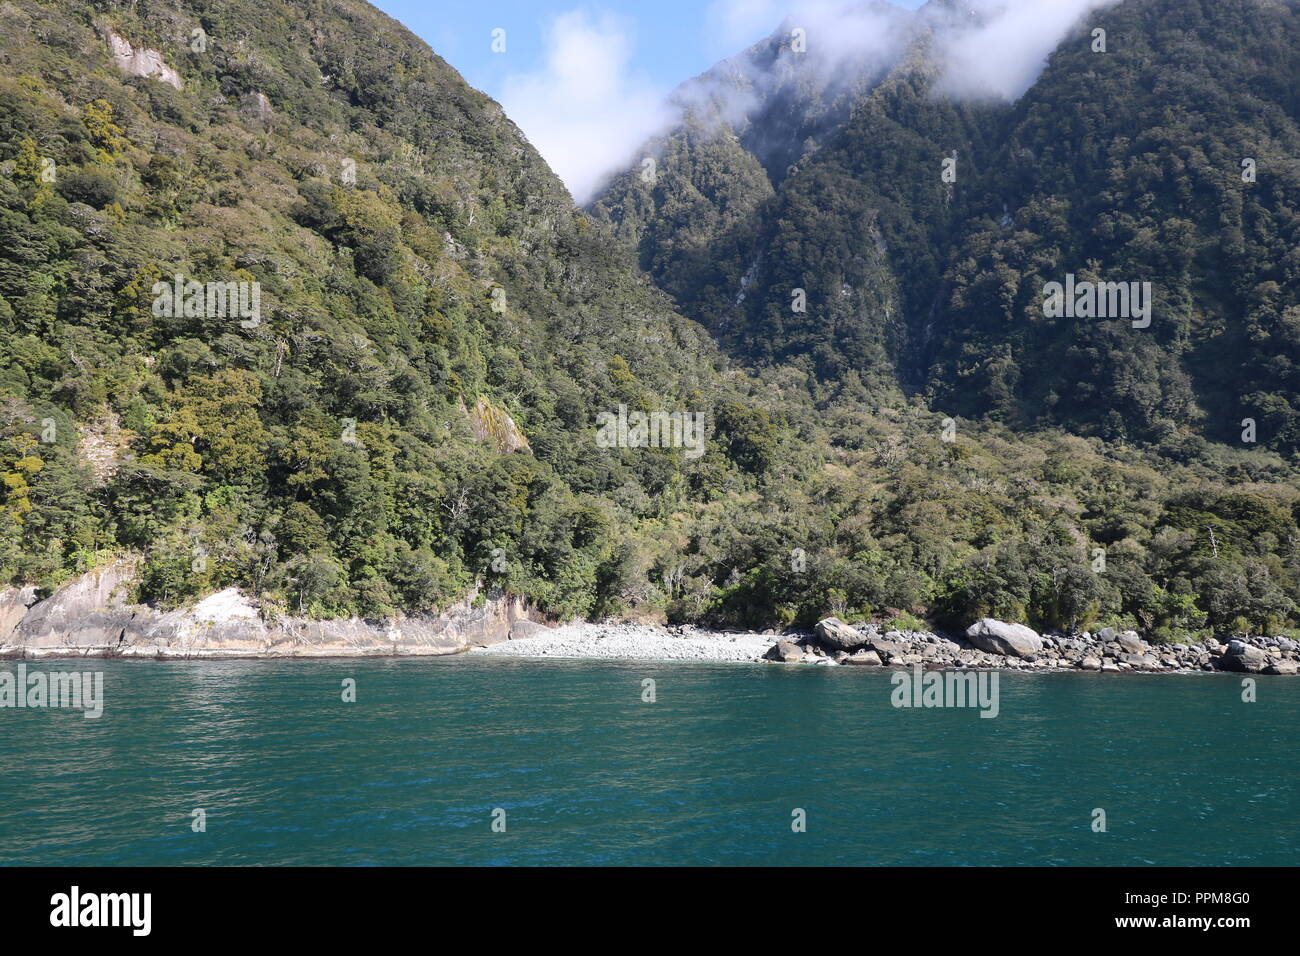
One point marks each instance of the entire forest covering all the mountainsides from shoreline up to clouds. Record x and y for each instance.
(409, 399)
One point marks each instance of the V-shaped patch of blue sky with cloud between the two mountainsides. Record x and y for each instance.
(587, 80)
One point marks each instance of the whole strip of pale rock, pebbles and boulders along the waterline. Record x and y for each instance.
(92, 617)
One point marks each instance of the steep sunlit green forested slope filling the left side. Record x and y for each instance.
(426, 288)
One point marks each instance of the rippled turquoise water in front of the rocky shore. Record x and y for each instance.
(587, 773)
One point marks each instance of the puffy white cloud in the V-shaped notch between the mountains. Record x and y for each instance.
(587, 111)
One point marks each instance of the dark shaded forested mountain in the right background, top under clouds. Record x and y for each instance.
(1173, 158)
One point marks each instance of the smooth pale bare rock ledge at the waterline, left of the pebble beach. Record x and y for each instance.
(92, 616)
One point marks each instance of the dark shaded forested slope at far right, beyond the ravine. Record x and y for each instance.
(1129, 167)
